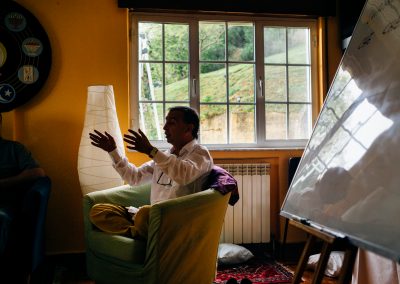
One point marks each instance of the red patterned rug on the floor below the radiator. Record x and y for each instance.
(258, 270)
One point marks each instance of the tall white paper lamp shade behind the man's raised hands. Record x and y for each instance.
(94, 164)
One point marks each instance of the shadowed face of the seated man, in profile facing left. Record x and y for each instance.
(176, 130)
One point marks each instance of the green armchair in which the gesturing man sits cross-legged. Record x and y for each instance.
(181, 246)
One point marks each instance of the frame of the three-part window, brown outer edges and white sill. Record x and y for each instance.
(259, 23)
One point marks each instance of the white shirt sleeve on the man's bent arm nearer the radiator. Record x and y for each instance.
(186, 170)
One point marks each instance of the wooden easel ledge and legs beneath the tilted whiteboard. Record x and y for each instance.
(328, 242)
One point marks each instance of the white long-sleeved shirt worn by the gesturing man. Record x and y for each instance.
(170, 175)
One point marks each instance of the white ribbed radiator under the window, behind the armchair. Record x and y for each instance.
(248, 221)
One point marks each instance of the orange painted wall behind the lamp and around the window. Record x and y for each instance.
(90, 46)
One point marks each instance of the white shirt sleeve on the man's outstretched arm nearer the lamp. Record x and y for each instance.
(129, 172)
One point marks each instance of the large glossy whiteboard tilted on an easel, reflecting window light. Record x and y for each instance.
(348, 179)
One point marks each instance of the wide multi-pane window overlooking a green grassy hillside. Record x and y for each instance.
(252, 80)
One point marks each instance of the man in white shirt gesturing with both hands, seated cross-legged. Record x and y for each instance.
(179, 171)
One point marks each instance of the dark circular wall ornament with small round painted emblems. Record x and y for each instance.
(25, 55)
